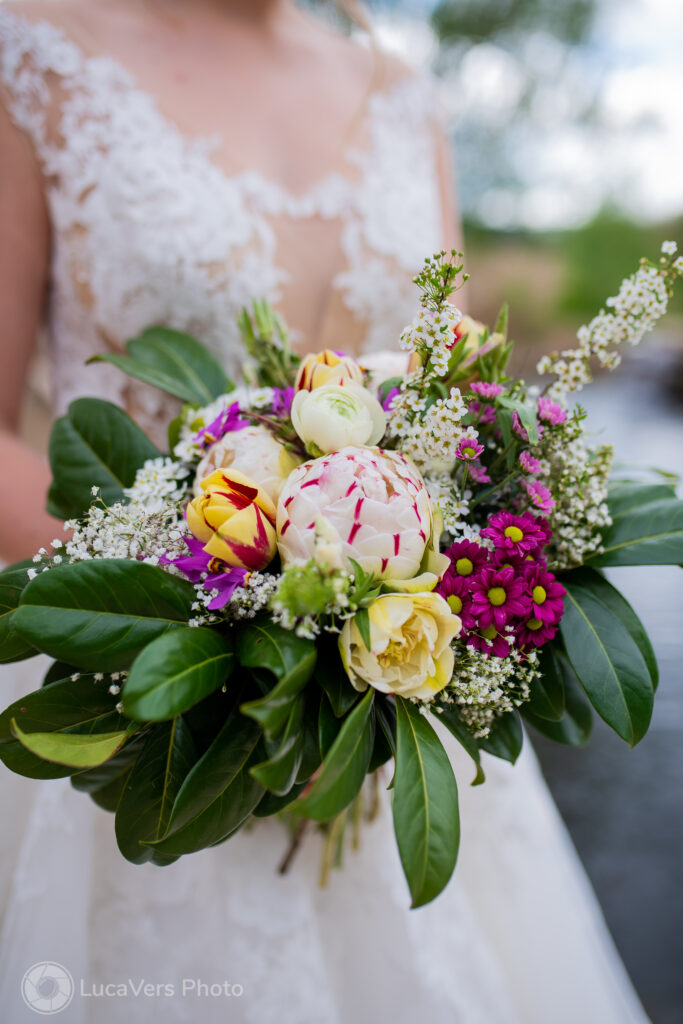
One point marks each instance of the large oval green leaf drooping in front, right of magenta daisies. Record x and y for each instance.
(606, 654)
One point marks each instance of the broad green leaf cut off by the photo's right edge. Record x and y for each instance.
(648, 535)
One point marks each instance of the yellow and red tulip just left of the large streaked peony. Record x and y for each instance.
(235, 520)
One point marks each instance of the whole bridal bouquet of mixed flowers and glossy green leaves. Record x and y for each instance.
(333, 566)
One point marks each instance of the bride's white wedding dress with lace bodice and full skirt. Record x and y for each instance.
(148, 229)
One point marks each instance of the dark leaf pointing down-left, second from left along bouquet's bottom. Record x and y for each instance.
(220, 793)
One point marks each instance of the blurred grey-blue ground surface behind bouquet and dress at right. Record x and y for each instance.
(625, 808)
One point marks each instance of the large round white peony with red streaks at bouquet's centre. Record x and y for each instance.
(375, 502)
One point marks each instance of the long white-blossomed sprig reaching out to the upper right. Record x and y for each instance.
(642, 302)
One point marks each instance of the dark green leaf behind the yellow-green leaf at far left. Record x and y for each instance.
(81, 706)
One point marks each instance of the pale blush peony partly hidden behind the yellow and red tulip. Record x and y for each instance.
(253, 452)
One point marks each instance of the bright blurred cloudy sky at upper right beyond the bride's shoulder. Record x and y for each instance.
(605, 124)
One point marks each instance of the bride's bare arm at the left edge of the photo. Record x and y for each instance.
(25, 476)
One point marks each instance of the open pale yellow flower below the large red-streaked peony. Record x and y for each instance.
(410, 646)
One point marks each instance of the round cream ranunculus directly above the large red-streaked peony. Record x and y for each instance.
(335, 416)
